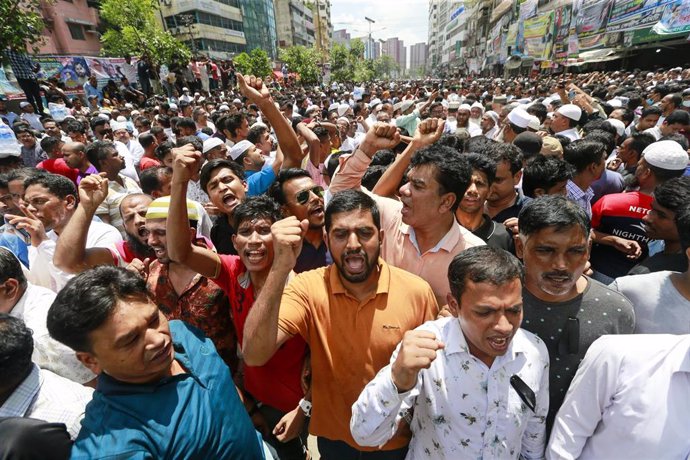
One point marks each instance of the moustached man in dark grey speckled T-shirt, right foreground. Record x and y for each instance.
(566, 309)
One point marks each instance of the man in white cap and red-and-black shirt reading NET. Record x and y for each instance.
(619, 235)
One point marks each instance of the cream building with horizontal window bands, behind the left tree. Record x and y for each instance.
(211, 27)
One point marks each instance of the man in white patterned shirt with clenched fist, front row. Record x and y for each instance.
(476, 383)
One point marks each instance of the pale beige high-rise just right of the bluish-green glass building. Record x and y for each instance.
(294, 23)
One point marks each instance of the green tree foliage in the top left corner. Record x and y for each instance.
(21, 23)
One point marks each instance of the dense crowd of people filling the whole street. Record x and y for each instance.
(445, 269)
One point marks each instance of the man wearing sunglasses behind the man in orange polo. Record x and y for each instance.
(299, 196)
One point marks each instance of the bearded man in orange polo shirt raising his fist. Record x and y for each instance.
(351, 314)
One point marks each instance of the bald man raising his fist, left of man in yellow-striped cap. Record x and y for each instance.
(71, 254)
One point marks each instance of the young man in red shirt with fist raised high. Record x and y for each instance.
(276, 384)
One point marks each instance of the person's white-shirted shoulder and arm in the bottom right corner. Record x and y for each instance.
(628, 400)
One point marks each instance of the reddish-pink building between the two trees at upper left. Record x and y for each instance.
(70, 28)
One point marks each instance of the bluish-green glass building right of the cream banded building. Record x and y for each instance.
(259, 20)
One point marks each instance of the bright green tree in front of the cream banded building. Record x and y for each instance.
(131, 28)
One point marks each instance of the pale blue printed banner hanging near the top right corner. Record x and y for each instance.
(635, 14)
